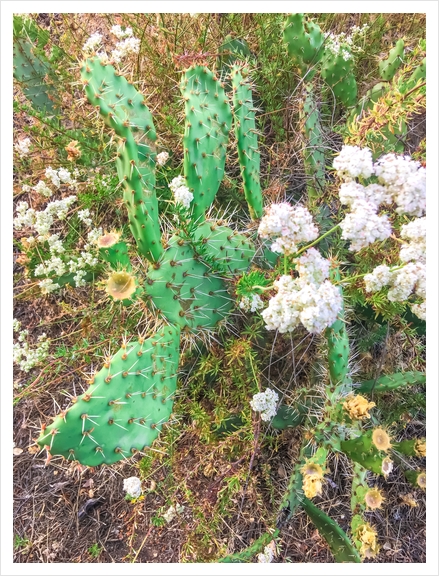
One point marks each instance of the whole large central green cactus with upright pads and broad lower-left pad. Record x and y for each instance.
(185, 286)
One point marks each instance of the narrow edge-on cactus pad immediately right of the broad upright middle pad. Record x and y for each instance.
(246, 136)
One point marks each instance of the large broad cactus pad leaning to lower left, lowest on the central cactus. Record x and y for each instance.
(125, 406)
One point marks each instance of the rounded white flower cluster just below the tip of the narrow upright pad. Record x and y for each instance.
(290, 225)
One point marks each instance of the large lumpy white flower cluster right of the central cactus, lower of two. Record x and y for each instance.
(309, 299)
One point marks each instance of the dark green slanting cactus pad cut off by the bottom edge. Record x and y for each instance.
(337, 539)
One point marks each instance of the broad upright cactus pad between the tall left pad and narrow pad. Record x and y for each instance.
(207, 126)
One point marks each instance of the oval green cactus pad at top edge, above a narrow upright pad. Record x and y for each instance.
(304, 41)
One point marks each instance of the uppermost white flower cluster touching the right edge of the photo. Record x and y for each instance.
(405, 180)
